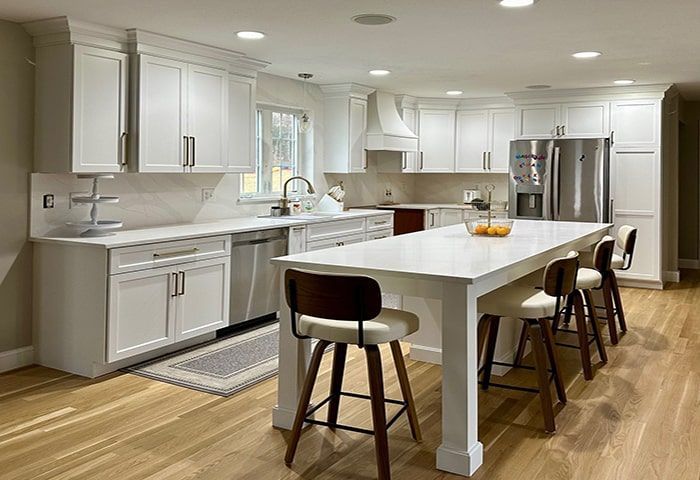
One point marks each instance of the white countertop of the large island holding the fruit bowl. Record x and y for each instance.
(449, 253)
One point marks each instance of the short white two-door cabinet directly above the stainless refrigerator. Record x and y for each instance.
(568, 120)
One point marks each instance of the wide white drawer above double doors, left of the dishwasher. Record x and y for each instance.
(142, 257)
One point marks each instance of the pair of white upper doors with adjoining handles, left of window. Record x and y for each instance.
(182, 120)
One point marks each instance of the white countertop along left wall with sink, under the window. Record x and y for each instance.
(126, 238)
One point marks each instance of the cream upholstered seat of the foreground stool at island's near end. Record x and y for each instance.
(388, 326)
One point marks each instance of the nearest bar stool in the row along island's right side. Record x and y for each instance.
(535, 308)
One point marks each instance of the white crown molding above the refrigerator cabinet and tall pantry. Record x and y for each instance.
(631, 92)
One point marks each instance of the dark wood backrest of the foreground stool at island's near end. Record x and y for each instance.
(331, 296)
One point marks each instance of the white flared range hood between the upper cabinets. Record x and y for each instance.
(385, 129)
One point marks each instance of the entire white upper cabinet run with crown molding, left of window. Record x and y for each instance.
(110, 100)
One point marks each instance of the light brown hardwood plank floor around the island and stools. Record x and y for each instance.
(639, 418)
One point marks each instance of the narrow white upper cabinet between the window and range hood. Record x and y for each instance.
(345, 128)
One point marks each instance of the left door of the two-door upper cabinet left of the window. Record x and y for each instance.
(162, 116)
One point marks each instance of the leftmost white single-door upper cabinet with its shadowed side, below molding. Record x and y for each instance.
(81, 104)
